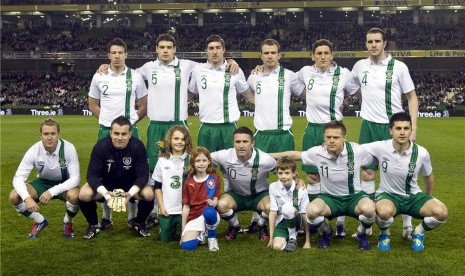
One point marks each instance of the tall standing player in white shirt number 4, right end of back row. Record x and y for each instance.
(383, 82)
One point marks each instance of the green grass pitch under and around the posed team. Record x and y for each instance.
(120, 252)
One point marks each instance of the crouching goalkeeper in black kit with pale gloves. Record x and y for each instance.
(117, 173)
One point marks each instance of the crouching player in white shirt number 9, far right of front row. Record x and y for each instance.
(401, 160)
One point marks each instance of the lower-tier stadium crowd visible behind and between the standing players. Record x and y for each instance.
(69, 89)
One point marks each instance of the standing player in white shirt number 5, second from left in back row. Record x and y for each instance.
(168, 78)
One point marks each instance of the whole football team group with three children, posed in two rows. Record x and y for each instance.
(169, 182)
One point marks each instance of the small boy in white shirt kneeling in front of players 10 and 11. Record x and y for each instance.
(286, 202)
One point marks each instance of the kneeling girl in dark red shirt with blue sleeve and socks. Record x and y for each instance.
(199, 198)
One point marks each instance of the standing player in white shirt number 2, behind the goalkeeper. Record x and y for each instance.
(115, 94)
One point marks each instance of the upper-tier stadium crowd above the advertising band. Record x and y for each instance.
(37, 37)
